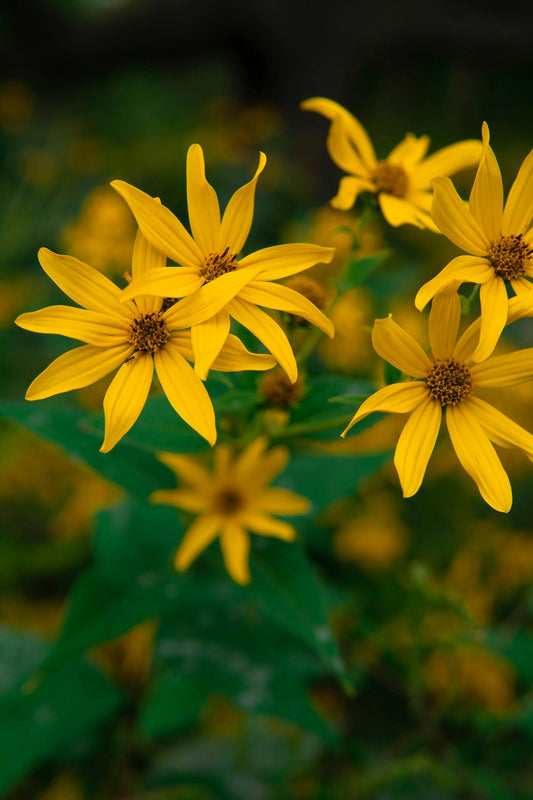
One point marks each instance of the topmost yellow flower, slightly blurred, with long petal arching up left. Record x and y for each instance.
(402, 181)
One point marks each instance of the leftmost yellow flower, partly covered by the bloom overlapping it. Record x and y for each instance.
(133, 336)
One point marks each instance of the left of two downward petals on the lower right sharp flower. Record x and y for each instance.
(416, 444)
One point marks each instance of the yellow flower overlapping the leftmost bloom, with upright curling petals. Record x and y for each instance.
(214, 281)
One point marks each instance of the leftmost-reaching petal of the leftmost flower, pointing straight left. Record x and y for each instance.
(91, 327)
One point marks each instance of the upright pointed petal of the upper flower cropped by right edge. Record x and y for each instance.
(486, 197)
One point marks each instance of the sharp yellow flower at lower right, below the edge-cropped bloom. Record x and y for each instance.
(448, 381)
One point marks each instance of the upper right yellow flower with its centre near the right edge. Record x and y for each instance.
(498, 238)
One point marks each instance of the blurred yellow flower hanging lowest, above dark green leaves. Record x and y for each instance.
(231, 503)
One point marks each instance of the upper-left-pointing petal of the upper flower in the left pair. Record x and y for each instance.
(162, 229)
